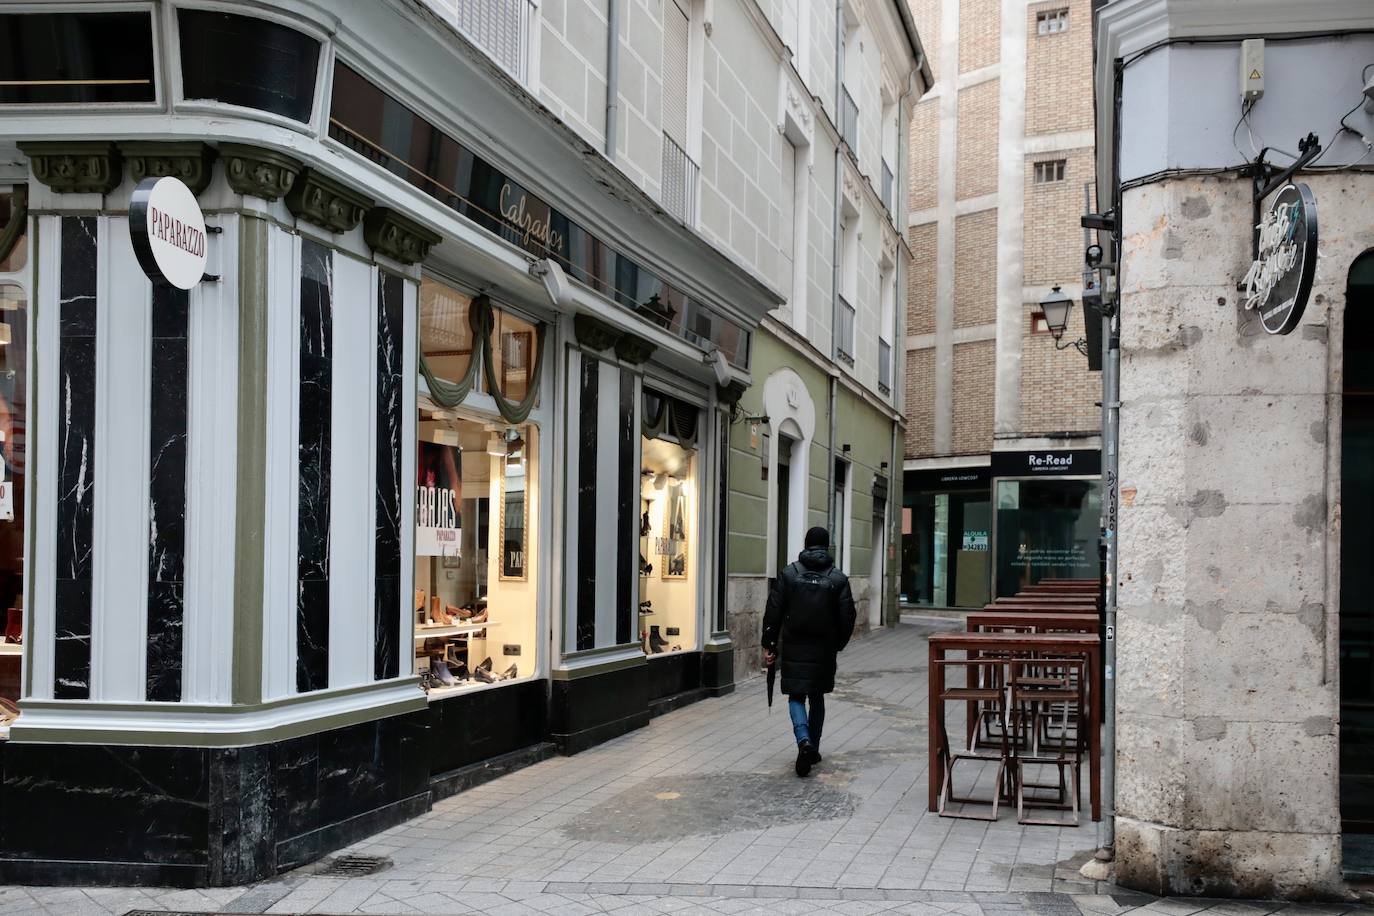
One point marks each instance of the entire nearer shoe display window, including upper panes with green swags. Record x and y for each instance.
(476, 602)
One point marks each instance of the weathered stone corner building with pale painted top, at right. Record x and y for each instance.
(1246, 693)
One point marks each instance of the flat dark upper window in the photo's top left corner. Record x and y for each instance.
(86, 58)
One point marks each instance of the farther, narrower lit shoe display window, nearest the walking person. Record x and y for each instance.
(668, 540)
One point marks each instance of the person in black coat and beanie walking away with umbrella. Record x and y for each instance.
(811, 617)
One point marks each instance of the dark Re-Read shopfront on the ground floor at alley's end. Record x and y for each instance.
(983, 528)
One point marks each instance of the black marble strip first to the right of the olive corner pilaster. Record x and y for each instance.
(313, 605)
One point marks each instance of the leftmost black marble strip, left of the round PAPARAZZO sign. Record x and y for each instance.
(76, 458)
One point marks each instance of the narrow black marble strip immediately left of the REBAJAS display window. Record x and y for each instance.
(391, 351)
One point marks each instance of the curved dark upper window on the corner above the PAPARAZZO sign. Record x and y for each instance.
(255, 64)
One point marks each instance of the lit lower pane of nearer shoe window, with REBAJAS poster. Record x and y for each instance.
(475, 543)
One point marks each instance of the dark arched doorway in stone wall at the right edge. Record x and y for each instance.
(1357, 572)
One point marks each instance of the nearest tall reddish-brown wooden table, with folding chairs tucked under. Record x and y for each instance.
(939, 646)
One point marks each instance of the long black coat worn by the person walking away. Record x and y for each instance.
(811, 616)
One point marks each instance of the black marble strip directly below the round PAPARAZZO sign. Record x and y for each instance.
(167, 494)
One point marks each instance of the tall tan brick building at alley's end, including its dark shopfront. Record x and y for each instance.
(1002, 150)
